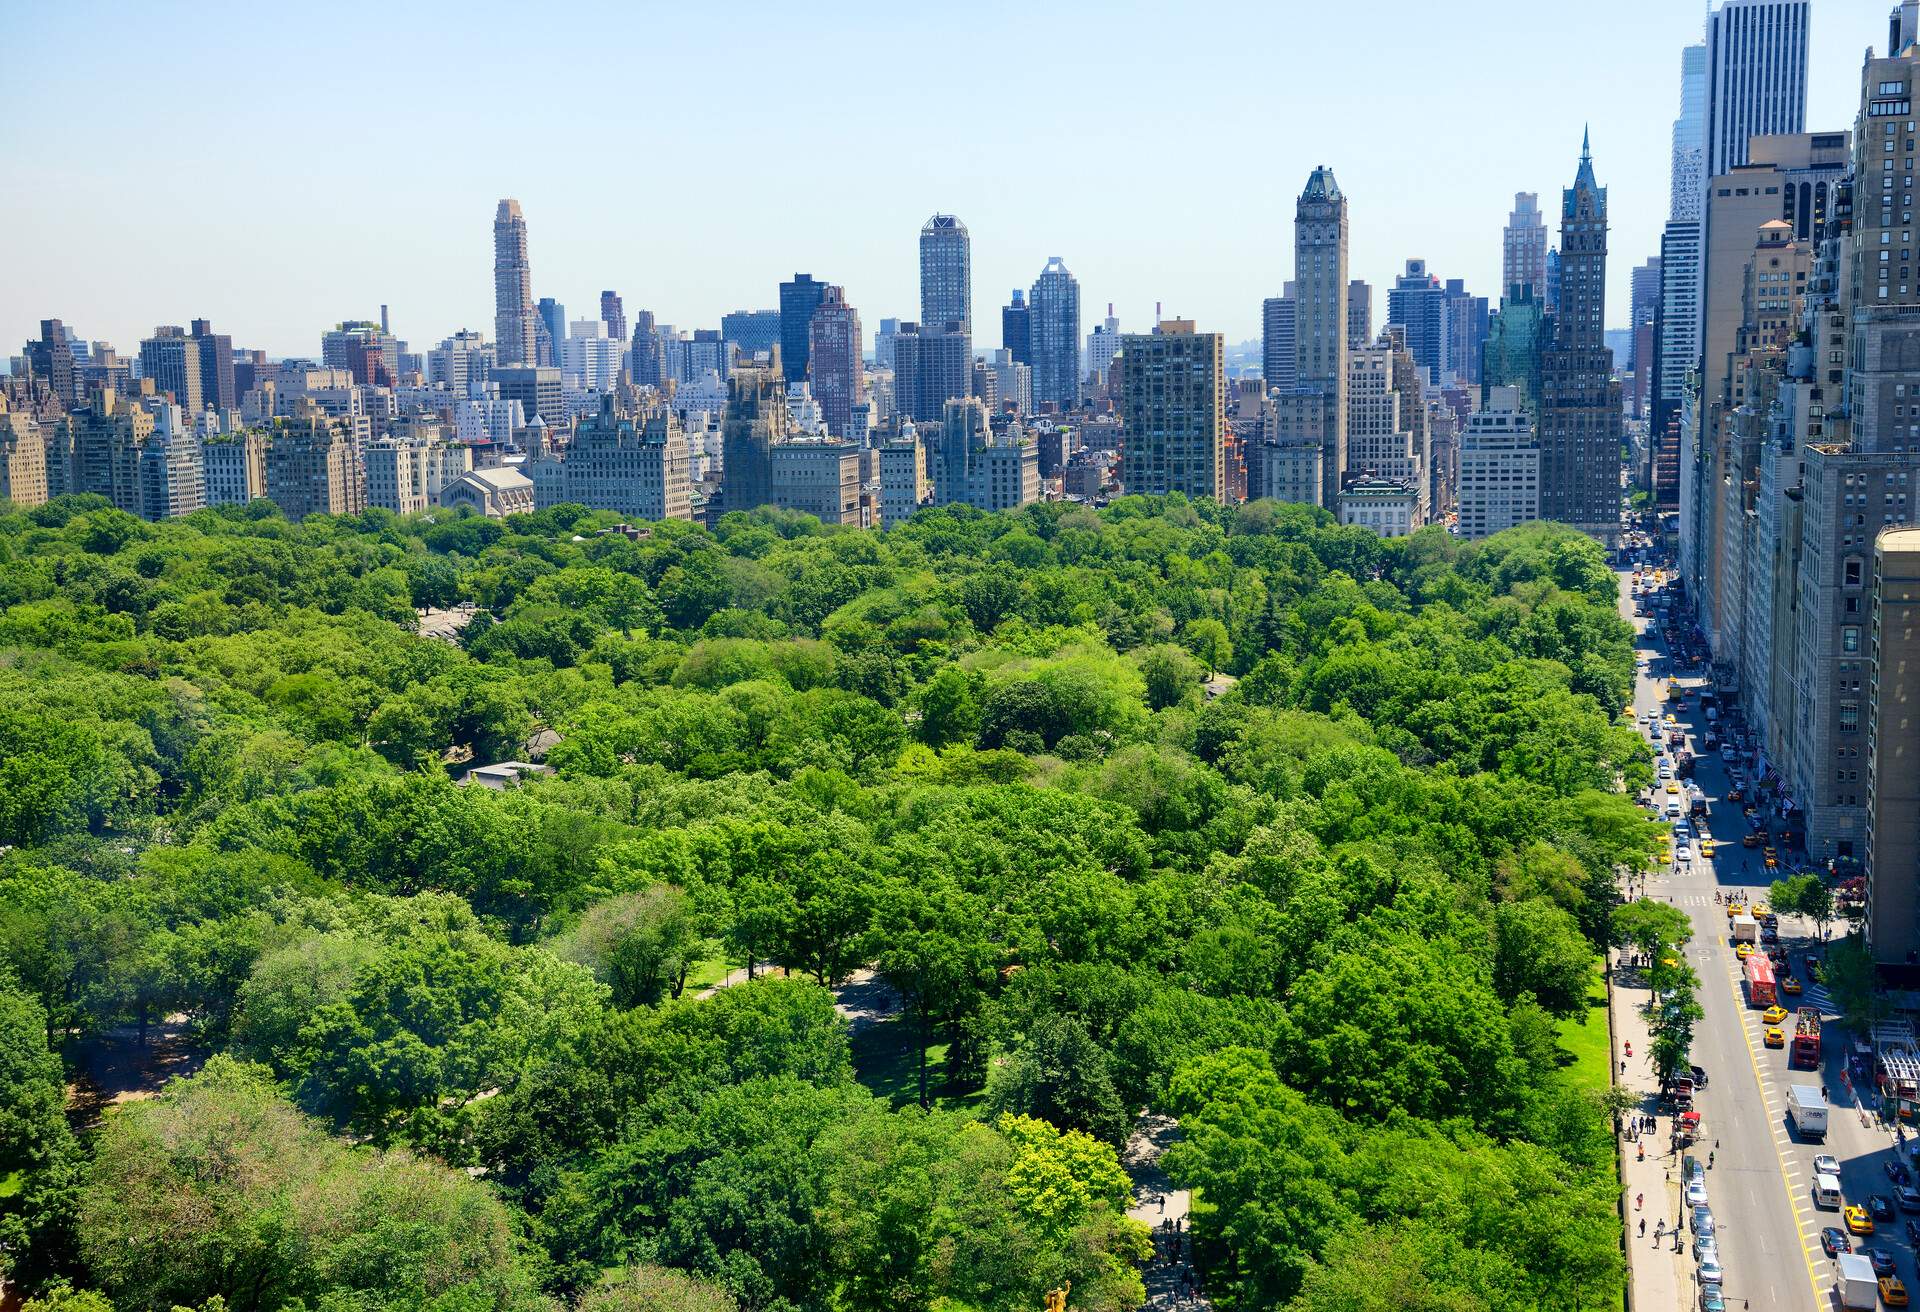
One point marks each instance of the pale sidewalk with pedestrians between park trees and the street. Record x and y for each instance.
(1660, 1278)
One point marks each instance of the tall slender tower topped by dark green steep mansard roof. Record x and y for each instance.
(1322, 314)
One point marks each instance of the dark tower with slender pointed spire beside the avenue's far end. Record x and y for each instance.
(1581, 416)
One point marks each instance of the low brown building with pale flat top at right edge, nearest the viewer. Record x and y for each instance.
(1894, 752)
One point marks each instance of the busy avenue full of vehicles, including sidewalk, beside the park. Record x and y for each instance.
(1783, 1188)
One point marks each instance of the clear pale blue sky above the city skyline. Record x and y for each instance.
(281, 168)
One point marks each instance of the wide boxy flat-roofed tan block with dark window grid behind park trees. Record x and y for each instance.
(1174, 412)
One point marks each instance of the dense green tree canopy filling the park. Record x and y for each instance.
(1299, 835)
